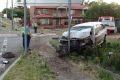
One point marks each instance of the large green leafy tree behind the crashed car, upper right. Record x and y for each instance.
(97, 9)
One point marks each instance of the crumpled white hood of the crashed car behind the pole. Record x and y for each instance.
(78, 34)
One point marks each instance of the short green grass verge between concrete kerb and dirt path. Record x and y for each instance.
(31, 67)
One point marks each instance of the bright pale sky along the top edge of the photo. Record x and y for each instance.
(3, 2)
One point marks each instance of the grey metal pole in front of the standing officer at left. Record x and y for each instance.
(25, 20)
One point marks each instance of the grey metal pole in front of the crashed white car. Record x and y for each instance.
(69, 23)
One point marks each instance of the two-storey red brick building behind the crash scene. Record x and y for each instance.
(52, 16)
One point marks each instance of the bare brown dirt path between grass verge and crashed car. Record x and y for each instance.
(63, 69)
